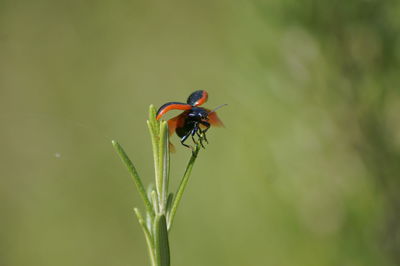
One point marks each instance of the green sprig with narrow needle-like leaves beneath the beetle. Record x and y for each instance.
(159, 203)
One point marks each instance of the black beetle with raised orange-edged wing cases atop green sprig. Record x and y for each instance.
(194, 121)
